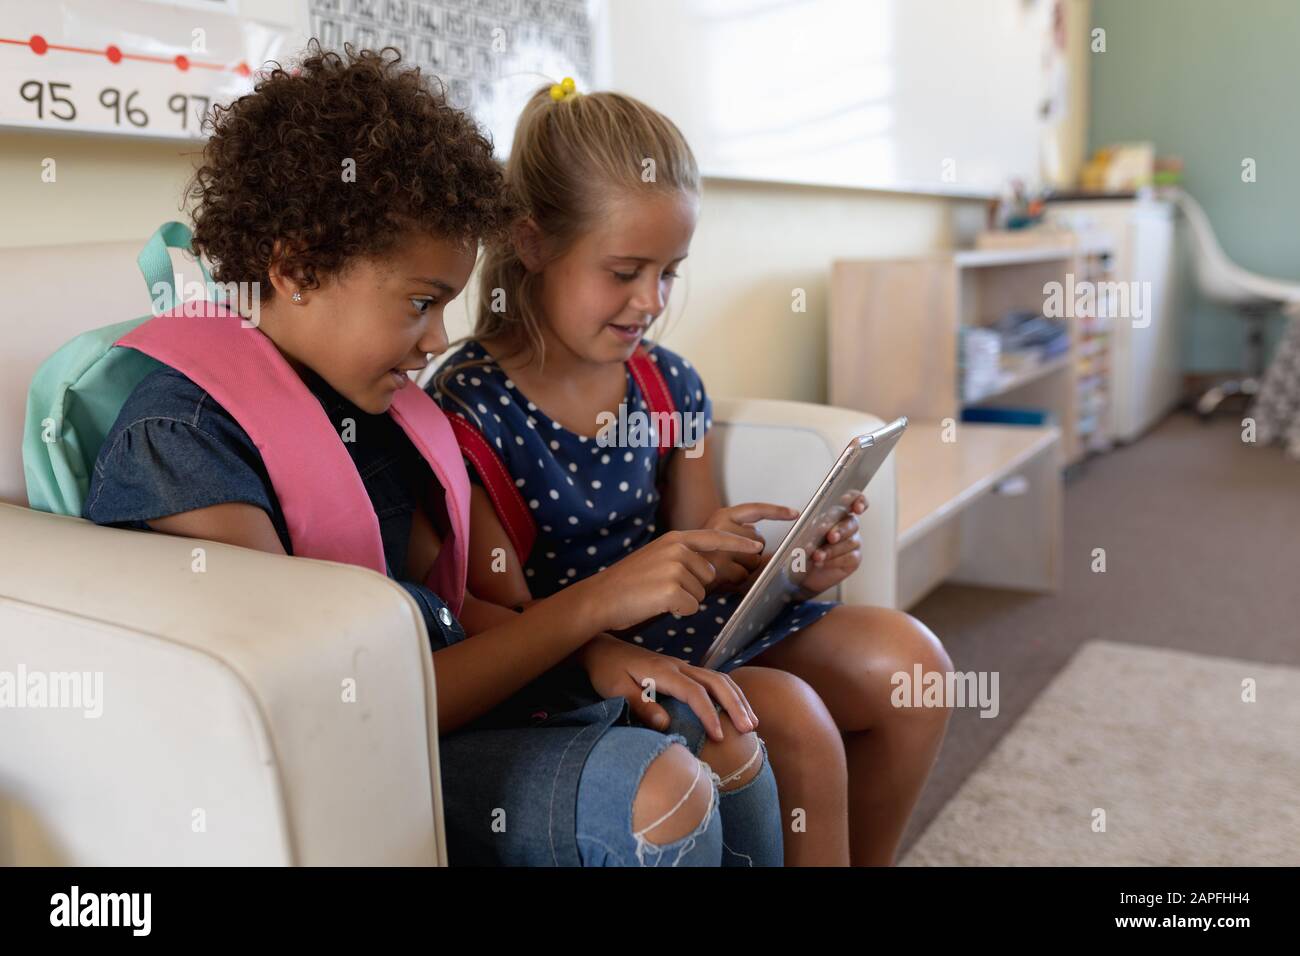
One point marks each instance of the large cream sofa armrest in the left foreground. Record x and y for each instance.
(262, 711)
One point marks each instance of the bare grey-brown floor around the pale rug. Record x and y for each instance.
(1202, 538)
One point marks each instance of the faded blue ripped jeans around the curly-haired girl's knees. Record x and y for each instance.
(742, 827)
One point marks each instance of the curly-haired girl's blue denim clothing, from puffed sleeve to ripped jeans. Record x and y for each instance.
(523, 785)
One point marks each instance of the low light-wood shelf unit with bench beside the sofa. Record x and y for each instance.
(978, 504)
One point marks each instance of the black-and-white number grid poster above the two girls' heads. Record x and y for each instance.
(489, 54)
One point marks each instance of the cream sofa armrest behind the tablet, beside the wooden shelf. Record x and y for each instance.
(779, 452)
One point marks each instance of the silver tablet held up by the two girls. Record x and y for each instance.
(781, 579)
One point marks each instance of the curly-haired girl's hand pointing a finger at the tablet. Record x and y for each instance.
(670, 574)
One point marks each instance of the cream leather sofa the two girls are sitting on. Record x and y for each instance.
(267, 710)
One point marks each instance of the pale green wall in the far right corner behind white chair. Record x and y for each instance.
(1211, 83)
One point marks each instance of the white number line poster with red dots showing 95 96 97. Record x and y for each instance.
(144, 68)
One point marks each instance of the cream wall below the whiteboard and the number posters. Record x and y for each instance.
(731, 313)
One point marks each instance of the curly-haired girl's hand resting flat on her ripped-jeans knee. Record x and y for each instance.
(618, 669)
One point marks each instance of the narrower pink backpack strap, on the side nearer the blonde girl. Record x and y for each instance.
(434, 435)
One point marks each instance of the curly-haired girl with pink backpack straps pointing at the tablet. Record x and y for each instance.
(357, 198)
